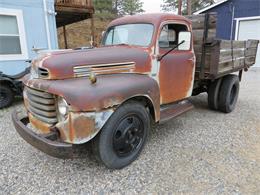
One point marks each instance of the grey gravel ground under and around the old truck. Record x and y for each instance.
(201, 151)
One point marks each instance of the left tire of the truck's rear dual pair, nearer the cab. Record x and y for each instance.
(213, 94)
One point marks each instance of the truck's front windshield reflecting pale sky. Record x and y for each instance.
(130, 34)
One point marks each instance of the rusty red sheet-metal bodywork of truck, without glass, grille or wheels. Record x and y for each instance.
(90, 102)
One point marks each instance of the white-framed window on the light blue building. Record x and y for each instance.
(12, 36)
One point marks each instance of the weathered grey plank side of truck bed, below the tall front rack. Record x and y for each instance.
(224, 57)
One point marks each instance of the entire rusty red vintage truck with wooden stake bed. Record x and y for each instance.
(144, 72)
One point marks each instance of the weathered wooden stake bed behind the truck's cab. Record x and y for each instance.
(215, 57)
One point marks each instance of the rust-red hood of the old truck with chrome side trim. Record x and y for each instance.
(60, 65)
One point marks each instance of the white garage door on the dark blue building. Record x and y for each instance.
(250, 29)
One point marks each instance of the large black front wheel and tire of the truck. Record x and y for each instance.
(113, 145)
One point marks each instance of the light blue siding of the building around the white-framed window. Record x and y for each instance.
(34, 22)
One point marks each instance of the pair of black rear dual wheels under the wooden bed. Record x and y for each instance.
(223, 94)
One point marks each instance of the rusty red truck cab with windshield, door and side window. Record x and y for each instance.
(156, 36)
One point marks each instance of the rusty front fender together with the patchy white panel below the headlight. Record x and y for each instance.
(91, 105)
